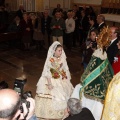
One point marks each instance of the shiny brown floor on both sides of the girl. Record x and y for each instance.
(16, 63)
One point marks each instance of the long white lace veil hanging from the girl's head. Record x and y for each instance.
(46, 70)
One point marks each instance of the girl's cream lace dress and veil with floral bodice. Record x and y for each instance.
(51, 104)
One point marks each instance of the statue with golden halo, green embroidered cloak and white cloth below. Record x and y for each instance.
(96, 78)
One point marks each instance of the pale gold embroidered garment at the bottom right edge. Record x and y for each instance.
(111, 109)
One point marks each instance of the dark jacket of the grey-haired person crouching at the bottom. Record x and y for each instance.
(85, 114)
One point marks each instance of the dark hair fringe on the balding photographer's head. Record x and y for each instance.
(10, 112)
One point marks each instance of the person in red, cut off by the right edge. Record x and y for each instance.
(116, 63)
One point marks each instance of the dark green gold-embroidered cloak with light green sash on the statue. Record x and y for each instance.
(96, 78)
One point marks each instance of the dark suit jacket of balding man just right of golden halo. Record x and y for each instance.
(112, 51)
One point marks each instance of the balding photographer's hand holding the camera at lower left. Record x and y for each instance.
(25, 109)
